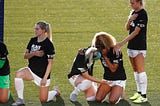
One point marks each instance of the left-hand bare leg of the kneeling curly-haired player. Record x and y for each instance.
(102, 91)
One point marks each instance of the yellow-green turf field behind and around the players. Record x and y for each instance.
(74, 23)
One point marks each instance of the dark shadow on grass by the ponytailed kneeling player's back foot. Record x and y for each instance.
(59, 102)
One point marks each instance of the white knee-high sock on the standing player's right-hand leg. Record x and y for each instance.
(143, 82)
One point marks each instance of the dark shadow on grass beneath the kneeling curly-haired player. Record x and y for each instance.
(121, 103)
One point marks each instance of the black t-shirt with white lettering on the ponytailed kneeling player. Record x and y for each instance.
(38, 65)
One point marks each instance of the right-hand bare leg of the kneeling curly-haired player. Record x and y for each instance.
(115, 94)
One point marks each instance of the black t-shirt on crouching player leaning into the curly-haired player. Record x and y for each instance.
(80, 66)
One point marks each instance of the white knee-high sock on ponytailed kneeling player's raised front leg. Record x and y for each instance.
(19, 85)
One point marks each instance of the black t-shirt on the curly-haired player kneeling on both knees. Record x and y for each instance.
(119, 74)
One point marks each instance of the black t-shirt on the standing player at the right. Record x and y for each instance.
(139, 41)
